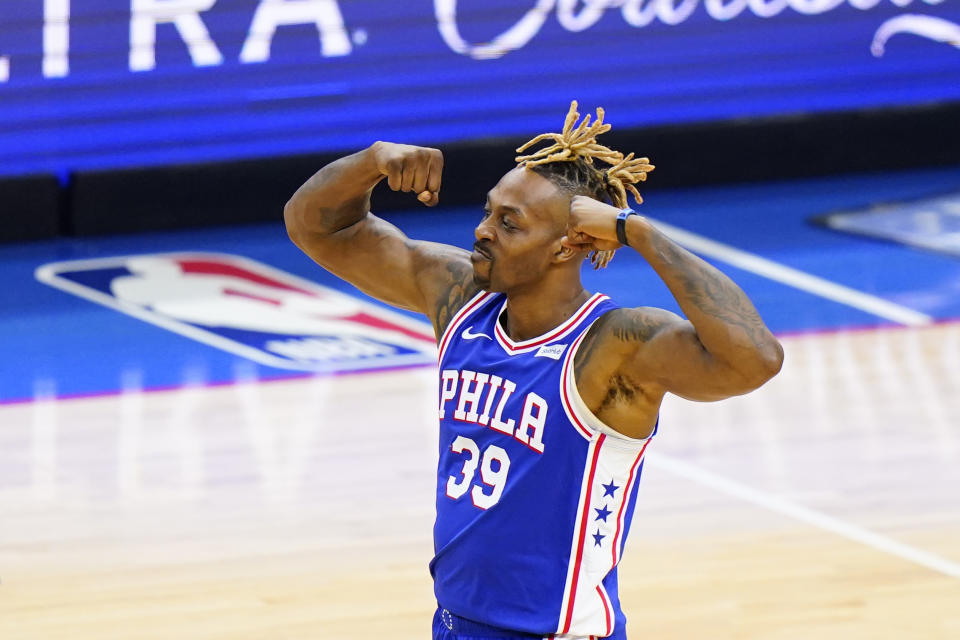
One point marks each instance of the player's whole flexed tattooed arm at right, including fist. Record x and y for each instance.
(725, 349)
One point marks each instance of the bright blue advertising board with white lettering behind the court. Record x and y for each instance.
(396, 75)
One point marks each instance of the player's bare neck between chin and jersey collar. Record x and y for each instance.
(535, 311)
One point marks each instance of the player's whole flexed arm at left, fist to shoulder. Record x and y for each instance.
(329, 219)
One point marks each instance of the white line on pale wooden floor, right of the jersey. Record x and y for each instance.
(804, 514)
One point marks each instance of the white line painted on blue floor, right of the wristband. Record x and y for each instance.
(795, 278)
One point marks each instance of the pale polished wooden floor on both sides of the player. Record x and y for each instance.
(825, 505)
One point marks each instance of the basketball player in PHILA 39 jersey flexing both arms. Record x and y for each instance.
(548, 394)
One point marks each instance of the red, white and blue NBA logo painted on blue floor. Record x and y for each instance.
(247, 308)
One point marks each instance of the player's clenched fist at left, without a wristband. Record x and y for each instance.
(410, 168)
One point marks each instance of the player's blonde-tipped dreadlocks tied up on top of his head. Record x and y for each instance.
(568, 162)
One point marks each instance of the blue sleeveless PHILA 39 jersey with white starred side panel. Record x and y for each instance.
(534, 493)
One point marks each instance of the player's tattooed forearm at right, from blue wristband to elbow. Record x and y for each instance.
(726, 322)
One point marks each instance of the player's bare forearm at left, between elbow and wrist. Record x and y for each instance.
(335, 197)
